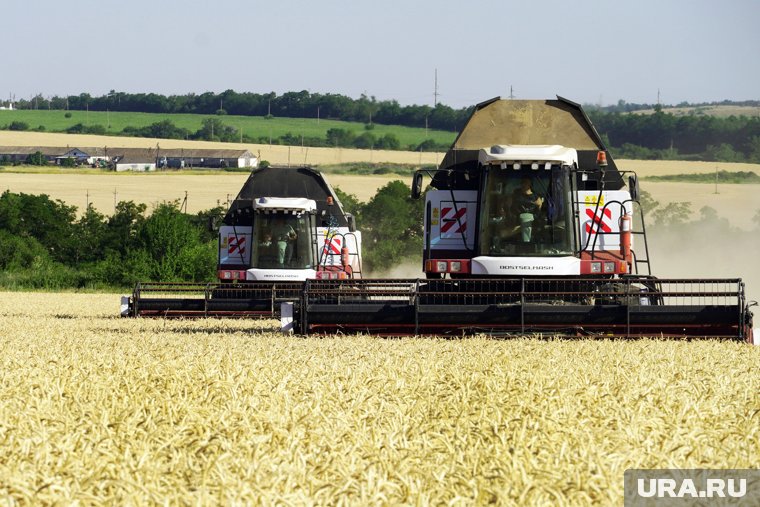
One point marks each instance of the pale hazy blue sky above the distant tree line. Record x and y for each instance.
(588, 51)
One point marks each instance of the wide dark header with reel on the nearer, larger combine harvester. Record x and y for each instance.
(631, 306)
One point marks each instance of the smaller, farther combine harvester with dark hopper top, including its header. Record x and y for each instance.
(285, 226)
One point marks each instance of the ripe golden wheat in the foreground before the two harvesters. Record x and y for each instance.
(94, 408)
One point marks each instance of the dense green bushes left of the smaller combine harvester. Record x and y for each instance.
(44, 245)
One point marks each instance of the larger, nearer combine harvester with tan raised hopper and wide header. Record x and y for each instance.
(530, 228)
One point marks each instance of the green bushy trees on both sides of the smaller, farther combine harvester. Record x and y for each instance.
(44, 244)
